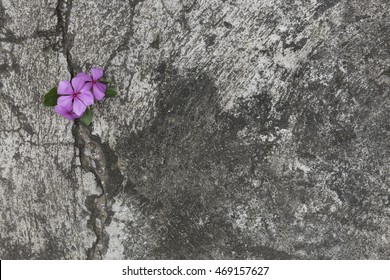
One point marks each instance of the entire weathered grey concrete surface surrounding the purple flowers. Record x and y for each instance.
(242, 130)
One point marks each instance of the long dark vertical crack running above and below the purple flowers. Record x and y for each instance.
(95, 156)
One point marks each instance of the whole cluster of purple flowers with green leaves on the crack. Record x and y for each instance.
(72, 99)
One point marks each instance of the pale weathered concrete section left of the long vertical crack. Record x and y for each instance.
(42, 189)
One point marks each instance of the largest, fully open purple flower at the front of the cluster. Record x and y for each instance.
(76, 96)
